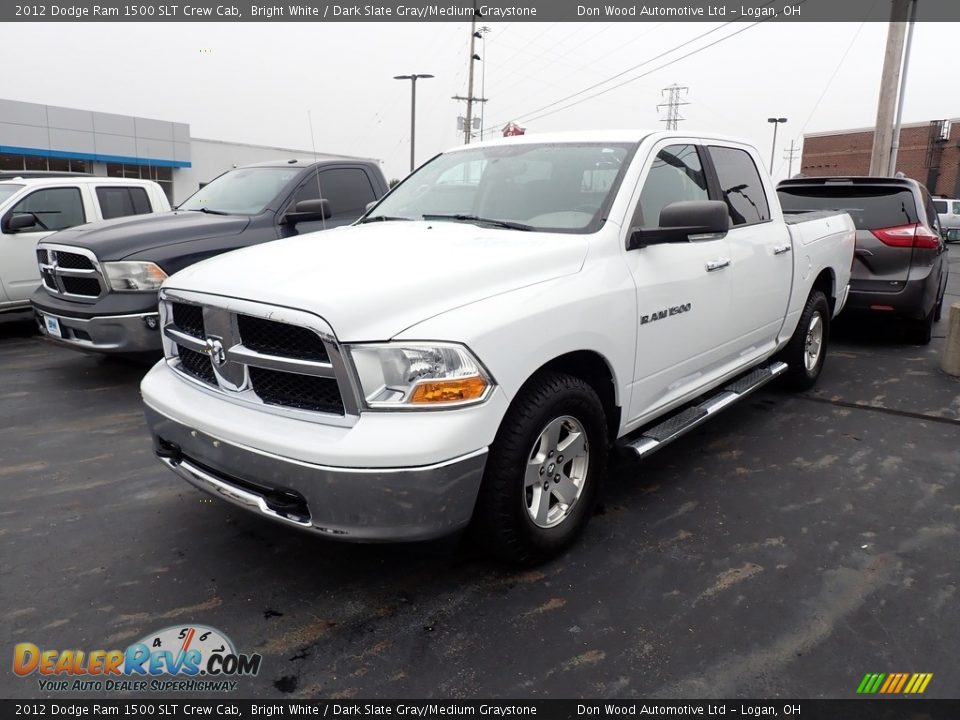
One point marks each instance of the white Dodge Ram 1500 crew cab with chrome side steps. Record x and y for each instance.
(469, 350)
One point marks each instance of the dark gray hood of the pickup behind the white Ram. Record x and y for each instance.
(119, 238)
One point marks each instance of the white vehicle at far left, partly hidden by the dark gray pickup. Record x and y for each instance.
(31, 208)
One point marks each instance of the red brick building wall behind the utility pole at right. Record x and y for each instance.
(848, 153)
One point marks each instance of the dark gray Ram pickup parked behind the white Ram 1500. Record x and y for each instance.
(99, 281)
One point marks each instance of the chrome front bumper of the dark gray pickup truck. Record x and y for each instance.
(108, 333)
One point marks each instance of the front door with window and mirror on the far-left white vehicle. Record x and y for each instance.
(54, 209)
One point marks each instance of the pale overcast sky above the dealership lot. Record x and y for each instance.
(264, 83)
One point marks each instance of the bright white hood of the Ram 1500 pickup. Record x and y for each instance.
(370, 282)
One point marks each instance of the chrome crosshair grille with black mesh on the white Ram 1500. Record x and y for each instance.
(265, 361)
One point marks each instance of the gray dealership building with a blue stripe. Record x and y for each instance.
(49, 137)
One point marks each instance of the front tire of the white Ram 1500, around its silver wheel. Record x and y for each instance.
(502, 521)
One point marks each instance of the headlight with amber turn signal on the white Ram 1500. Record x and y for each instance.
(419, 375)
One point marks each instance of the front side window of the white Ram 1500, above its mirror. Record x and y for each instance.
(676, 174)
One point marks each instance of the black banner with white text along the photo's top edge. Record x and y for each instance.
(461, 10)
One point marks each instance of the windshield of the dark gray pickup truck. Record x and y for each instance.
(246, 191)
